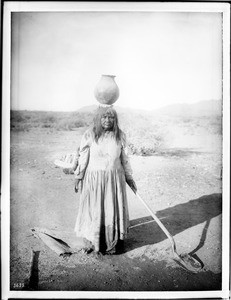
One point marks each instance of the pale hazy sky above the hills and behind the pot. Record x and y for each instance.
(159, 58)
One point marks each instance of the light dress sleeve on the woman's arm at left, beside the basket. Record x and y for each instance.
(84, 153)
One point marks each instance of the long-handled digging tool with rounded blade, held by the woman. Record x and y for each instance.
(189, 262)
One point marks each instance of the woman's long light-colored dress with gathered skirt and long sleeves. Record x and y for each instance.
(103, 211)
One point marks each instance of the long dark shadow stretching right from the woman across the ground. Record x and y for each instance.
(176, 219)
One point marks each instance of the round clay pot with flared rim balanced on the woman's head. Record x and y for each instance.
(107, 91)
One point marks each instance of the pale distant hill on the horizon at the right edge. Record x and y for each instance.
(202, 108)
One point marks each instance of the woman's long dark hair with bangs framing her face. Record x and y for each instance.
(97, 128)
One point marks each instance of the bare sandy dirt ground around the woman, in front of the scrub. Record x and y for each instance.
(183, 186)
